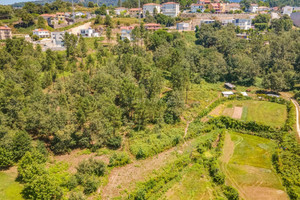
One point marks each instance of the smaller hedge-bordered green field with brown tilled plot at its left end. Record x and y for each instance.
(264, 112)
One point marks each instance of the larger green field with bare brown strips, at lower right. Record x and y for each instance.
(246, 161)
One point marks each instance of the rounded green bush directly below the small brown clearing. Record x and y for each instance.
(92, 167)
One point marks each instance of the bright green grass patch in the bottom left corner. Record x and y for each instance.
(9, 189)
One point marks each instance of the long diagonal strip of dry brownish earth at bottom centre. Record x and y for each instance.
(125, 178)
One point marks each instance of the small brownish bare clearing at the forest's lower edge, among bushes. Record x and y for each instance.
(74, 158)
